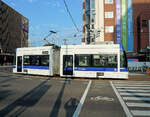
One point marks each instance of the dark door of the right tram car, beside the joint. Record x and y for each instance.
(67, 64)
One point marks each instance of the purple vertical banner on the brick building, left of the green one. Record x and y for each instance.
(118, 21)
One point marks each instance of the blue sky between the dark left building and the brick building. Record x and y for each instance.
(46, 15)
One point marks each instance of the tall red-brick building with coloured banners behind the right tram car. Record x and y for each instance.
(125, 22)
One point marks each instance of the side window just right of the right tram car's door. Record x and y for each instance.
(82, 60)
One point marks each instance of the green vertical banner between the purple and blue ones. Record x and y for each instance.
(124, 23)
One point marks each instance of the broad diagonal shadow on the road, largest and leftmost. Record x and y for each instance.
(28, 100)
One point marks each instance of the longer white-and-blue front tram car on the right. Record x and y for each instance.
(93, 61)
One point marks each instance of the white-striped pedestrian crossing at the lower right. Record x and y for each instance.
(134, 97)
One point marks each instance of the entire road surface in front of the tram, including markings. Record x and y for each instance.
(33, 96)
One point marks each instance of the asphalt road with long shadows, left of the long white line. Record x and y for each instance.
(25, 96)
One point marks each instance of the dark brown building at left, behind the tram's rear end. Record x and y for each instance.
(13, 30)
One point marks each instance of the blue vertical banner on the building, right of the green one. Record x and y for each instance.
(130, 25)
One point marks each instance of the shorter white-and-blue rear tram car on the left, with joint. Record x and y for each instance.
(37, 60)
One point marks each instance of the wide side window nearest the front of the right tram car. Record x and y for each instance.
(105, 60)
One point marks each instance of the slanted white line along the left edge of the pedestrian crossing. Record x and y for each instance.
(125, 108)
